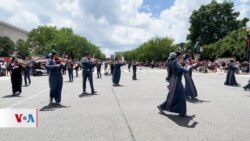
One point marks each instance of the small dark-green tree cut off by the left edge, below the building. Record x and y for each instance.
(7, 46)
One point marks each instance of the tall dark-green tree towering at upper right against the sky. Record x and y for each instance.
(212, 22)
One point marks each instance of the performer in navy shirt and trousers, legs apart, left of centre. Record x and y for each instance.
(87, 73)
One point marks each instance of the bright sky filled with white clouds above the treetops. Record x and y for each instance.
(115, 25)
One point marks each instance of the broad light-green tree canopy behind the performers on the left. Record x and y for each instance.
(45, 38)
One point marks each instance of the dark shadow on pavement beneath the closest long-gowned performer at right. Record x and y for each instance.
(182, 121)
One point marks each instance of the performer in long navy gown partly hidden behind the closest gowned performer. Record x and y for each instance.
(190, 89)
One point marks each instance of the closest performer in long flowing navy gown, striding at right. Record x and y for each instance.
(176, 100)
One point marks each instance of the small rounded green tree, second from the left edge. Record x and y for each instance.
(22, 49)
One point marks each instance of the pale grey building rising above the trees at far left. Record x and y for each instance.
(13, 32)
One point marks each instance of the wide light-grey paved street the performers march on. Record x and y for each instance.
(129, 112)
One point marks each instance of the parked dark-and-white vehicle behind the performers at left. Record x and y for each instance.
(38, 68)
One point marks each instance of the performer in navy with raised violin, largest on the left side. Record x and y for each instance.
(55, 66)
